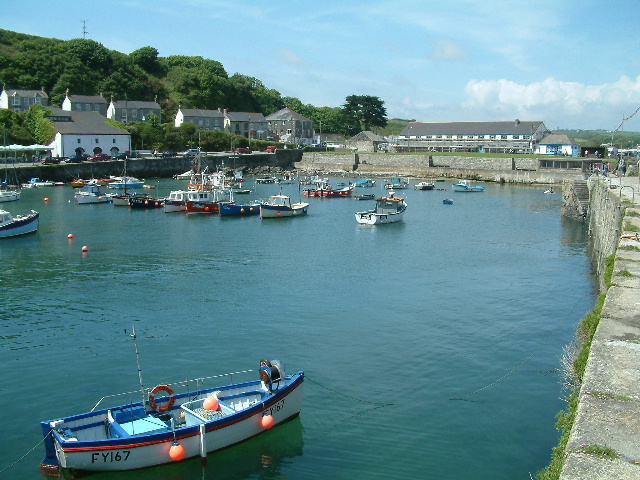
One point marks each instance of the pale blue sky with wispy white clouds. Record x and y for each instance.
(571, 64)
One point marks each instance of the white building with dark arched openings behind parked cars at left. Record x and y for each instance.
(78, 133)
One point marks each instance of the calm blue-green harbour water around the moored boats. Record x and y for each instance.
(388, 322)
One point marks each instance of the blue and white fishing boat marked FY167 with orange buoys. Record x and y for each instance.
(175, 426)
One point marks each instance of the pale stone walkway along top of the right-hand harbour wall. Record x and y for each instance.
(605, 440)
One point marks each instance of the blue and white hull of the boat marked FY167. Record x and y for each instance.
(198, 436)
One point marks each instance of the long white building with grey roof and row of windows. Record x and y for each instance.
(503, 136)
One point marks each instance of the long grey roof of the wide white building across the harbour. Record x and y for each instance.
(512, 127)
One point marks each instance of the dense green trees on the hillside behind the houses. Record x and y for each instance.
(86, 67)
